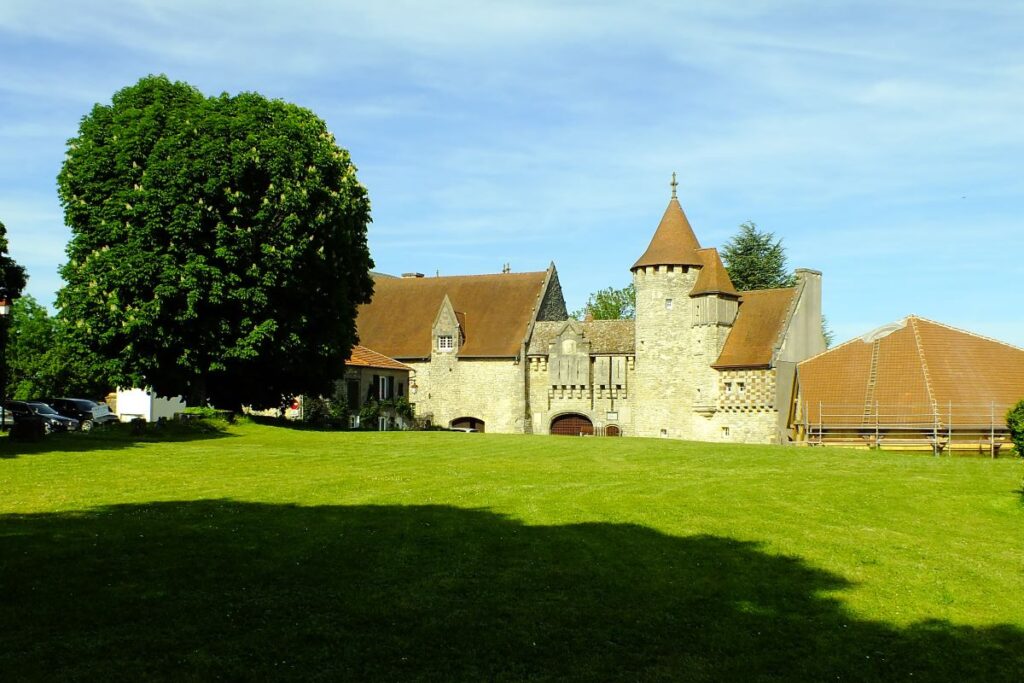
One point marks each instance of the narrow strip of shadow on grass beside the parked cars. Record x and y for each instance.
(112, 438)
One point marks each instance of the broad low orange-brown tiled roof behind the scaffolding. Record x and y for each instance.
(920, 364)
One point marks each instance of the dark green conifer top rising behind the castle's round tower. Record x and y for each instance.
(756, 261)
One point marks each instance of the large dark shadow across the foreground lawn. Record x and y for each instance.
(220, 589)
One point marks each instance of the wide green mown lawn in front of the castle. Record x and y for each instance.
(275, 553)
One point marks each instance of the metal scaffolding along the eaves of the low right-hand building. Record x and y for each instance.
(977, 428)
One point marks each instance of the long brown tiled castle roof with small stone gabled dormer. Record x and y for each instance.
(495, 311)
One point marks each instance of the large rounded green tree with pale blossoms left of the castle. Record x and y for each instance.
(219, 246)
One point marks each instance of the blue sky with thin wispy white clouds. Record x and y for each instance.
(883, 142)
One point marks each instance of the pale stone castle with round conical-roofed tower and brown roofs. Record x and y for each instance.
(499, 353)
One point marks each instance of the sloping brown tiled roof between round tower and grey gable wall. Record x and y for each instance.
(756, 331)
